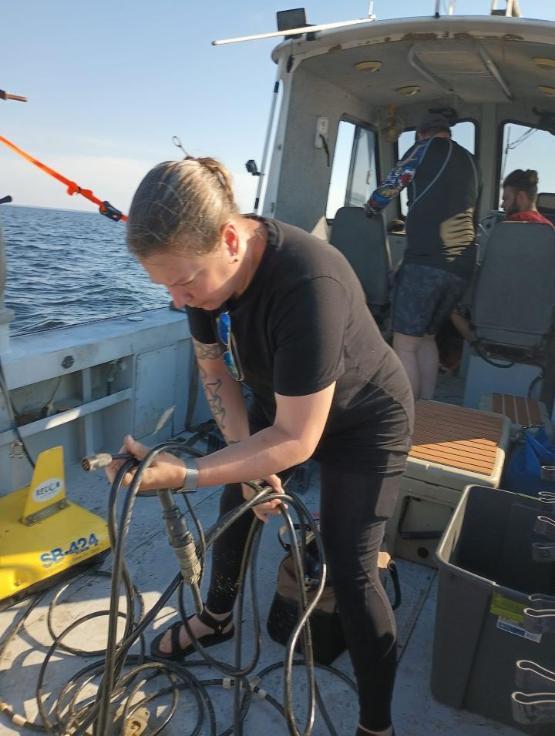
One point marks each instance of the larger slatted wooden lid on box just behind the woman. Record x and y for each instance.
(455, 436)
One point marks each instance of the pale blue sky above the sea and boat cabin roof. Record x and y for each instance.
(109, 83)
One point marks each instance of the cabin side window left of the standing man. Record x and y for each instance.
(353, 174)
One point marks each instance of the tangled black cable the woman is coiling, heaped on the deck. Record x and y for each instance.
(122, 675)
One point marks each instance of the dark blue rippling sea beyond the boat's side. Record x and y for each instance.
(66, 267)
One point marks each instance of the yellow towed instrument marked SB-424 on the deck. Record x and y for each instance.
(42, 534)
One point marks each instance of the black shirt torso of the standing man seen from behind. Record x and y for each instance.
(442, 198)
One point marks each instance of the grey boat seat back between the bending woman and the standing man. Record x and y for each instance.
(363, 242)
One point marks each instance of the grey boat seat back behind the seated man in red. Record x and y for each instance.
(513, 306)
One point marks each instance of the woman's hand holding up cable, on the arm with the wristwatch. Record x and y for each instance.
(166, 471)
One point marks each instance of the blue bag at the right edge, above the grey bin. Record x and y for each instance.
(523, 471)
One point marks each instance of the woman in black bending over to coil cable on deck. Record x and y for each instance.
(282, 311)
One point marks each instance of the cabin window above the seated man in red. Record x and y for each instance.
(527, 148)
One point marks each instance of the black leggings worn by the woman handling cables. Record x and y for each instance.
(354, 507)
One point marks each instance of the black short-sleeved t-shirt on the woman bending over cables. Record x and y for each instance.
(303, 323)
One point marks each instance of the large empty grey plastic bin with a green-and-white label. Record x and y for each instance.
(486, 573)
